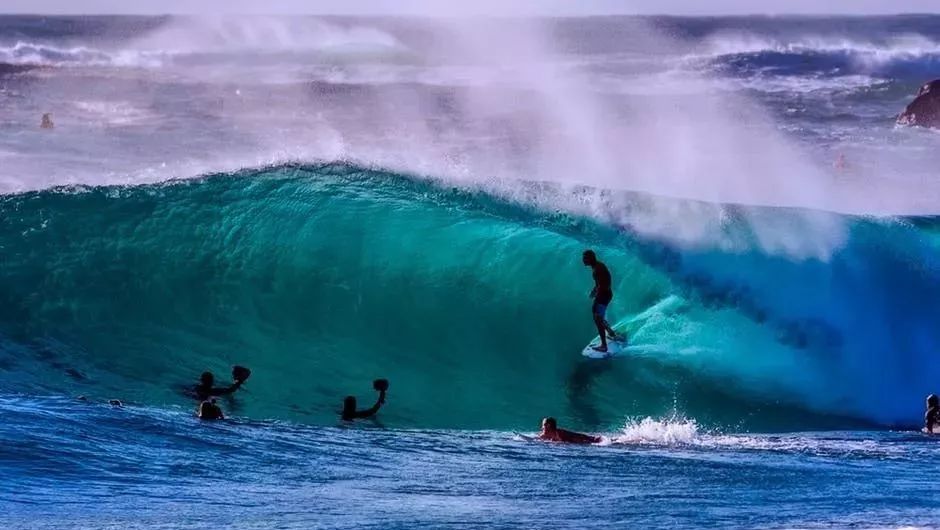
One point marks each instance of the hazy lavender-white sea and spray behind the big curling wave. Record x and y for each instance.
(513, 99)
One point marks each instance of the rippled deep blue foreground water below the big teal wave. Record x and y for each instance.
(94, 466)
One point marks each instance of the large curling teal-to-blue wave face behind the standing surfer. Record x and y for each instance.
(321, 278)
